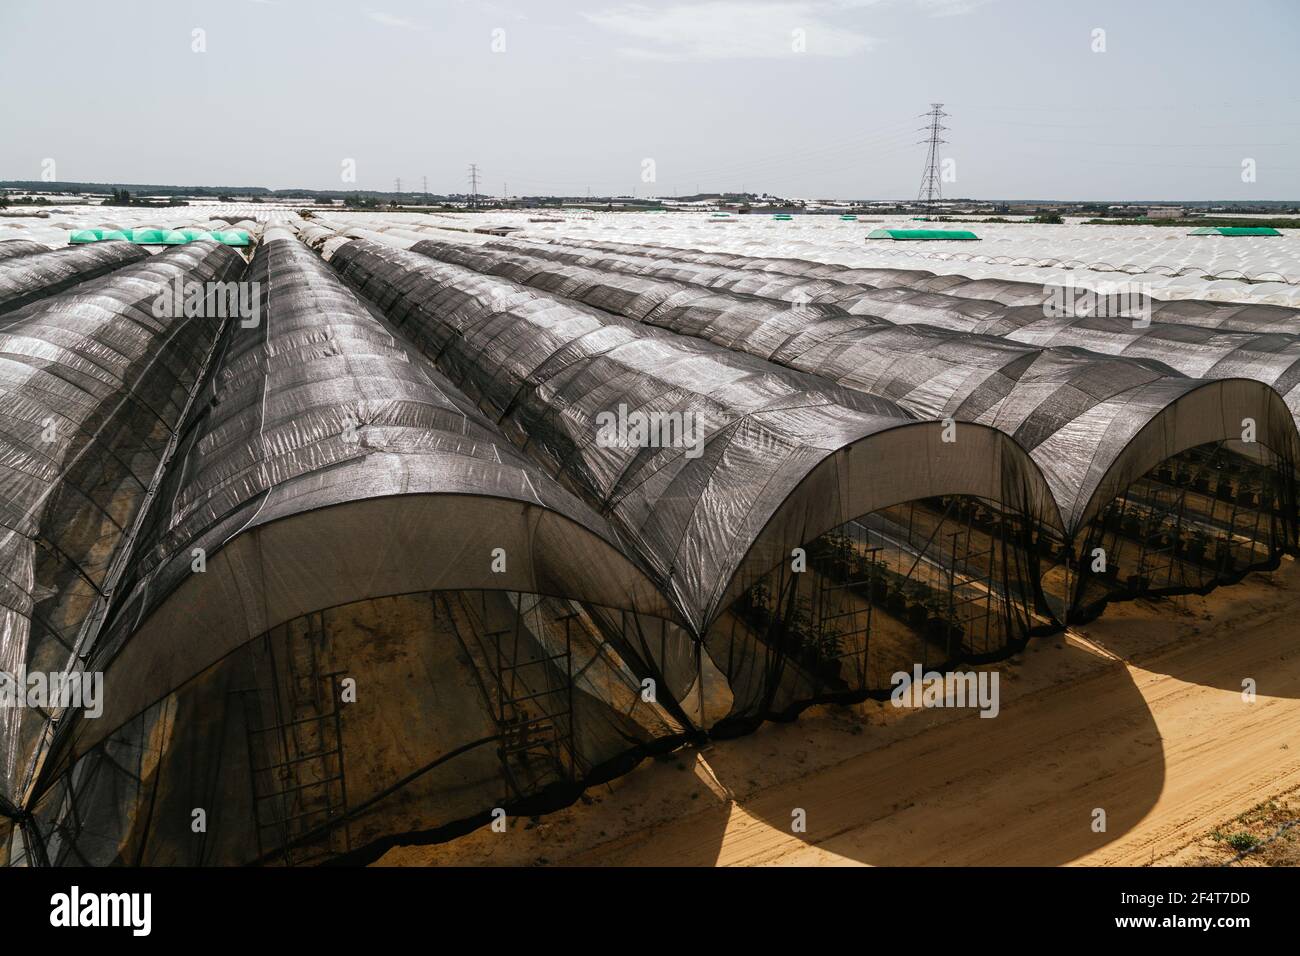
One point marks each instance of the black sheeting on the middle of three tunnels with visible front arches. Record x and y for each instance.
(790, 458)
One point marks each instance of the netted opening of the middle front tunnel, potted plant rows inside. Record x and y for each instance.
(933, 582)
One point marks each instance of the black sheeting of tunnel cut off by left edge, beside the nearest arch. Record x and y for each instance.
(94, 388)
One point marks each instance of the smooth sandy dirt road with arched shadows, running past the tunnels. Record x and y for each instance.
(1167, 749)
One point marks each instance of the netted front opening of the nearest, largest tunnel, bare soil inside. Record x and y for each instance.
(415, 713)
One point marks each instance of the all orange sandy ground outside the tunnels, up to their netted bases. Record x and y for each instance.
(1139, 715)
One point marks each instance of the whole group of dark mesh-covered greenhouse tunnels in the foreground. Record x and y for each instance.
(363, 568)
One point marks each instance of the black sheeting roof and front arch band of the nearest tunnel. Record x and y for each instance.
(319, 408)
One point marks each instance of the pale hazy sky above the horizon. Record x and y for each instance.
(798, 98)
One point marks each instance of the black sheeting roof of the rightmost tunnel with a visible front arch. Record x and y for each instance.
(1089, 419)
